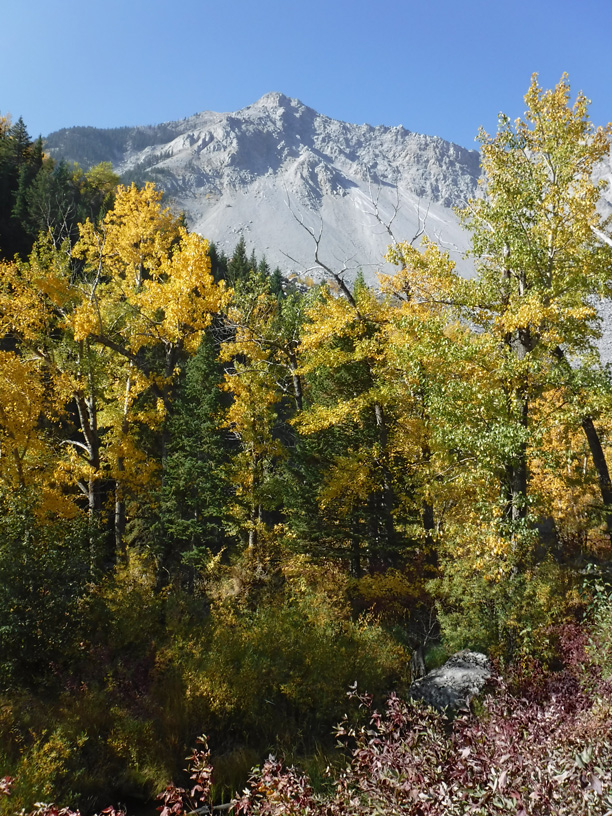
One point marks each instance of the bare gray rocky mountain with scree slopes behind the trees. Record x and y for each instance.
(277, 171)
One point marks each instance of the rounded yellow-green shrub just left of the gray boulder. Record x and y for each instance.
(276, 672)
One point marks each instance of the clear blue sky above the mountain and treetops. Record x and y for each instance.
(439, 67)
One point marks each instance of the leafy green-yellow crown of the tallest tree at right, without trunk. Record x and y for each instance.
(532, 229)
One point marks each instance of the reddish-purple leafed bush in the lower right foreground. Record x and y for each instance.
(542, 745)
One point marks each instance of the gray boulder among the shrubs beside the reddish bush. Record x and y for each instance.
(456, 682)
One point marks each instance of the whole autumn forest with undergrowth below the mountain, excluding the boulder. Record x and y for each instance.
(228, 500)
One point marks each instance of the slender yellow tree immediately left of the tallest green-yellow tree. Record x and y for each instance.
(422, 337)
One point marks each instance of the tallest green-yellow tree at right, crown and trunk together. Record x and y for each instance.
(540, 262)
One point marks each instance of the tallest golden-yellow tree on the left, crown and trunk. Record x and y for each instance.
(147, 298)
